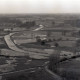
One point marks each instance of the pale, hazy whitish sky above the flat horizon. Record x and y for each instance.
(39, 6)
